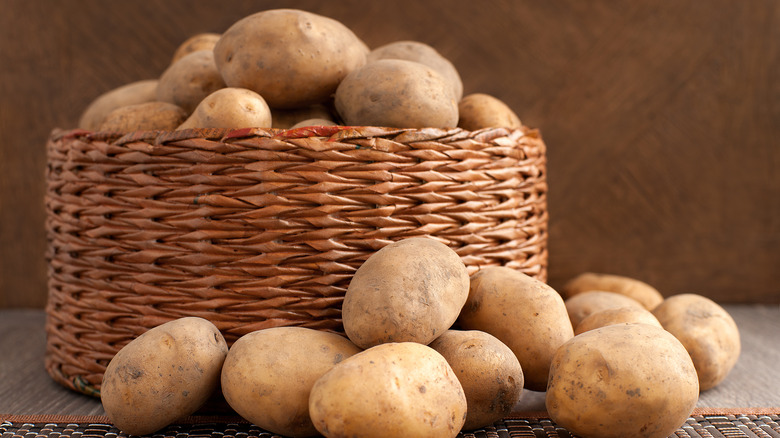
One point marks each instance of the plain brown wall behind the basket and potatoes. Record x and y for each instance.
(661, 118)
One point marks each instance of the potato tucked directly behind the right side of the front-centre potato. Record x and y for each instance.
(489, 372)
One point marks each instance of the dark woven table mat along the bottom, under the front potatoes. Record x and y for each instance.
(749, 423)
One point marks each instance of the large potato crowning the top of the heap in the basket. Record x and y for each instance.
(290, 57)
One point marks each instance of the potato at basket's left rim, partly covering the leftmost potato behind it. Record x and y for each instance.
(147, 116)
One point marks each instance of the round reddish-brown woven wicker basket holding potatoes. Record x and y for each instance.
(257, 228)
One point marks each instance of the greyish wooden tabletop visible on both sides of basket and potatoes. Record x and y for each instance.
(26, 389)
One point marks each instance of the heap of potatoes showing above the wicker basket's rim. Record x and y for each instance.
(287, 68)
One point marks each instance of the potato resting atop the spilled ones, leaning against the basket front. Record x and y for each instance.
(410, 290)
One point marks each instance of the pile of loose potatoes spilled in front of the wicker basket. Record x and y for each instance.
(429, 351)
